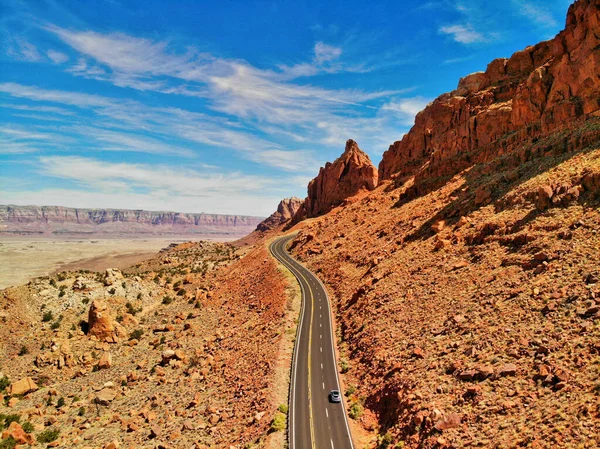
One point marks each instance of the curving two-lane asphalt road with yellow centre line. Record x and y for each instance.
(314, 422)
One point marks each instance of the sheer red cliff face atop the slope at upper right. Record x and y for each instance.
(537, 91)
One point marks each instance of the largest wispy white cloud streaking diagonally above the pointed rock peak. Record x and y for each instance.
(232, 87)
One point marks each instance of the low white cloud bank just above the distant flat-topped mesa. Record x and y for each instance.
(124, 185)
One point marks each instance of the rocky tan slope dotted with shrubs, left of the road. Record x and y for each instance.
(180, 351)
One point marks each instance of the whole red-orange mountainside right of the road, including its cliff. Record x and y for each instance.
(467, 284)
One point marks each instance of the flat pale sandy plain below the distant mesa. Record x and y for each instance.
(23, 259)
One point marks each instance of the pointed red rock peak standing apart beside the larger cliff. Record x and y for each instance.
(352, 172)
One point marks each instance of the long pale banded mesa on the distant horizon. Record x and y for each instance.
(58, 220)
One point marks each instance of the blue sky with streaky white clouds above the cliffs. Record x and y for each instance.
(226, 106)
